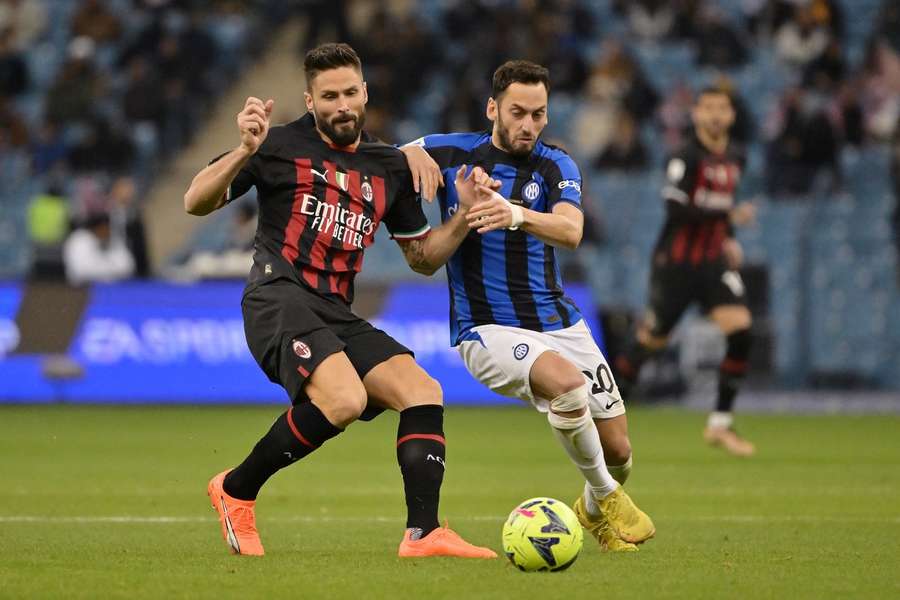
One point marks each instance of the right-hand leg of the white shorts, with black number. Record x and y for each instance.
(576, 344)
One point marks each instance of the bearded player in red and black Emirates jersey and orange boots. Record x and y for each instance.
(323, 187)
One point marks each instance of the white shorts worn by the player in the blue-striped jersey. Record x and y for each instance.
(503, 358)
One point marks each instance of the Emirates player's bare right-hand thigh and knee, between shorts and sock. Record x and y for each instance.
(400, 383)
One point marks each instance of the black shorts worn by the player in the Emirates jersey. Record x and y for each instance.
(290, 330)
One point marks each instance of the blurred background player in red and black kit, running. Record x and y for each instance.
(696, 259)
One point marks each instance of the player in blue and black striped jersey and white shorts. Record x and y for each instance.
(514, 327)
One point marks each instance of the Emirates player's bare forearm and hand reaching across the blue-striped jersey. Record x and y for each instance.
(429, 254)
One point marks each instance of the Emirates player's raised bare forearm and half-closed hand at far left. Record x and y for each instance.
(207, 190)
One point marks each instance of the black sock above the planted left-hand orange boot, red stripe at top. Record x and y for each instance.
(293, 435)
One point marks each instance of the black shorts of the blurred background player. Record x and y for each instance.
(673, 287)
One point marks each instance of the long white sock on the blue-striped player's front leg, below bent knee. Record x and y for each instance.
(579, 437)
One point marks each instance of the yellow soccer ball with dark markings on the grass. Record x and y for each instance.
(542, 534)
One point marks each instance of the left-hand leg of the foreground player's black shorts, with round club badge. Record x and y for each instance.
(287, 339)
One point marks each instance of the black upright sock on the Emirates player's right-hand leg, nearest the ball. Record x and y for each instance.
(420, 453)
